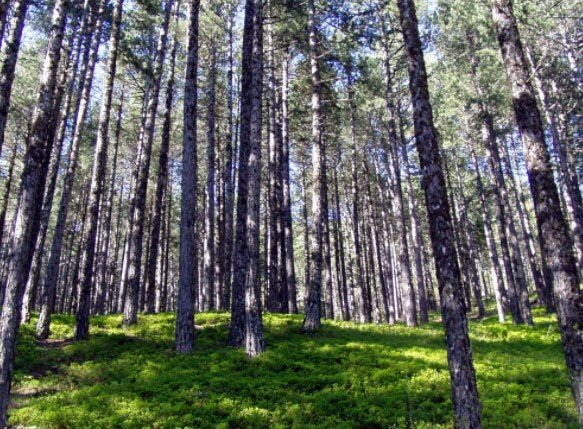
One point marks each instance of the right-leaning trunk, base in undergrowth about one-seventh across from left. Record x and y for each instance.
(97, 179)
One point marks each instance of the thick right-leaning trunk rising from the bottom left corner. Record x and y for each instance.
(27, 215)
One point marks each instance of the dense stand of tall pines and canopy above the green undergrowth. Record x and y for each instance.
(367, 161)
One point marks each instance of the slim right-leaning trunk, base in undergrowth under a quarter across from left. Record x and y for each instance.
(139, 213)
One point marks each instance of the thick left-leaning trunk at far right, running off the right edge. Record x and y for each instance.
(557, 246)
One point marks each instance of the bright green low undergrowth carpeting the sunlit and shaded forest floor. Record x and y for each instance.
(345, 376)
